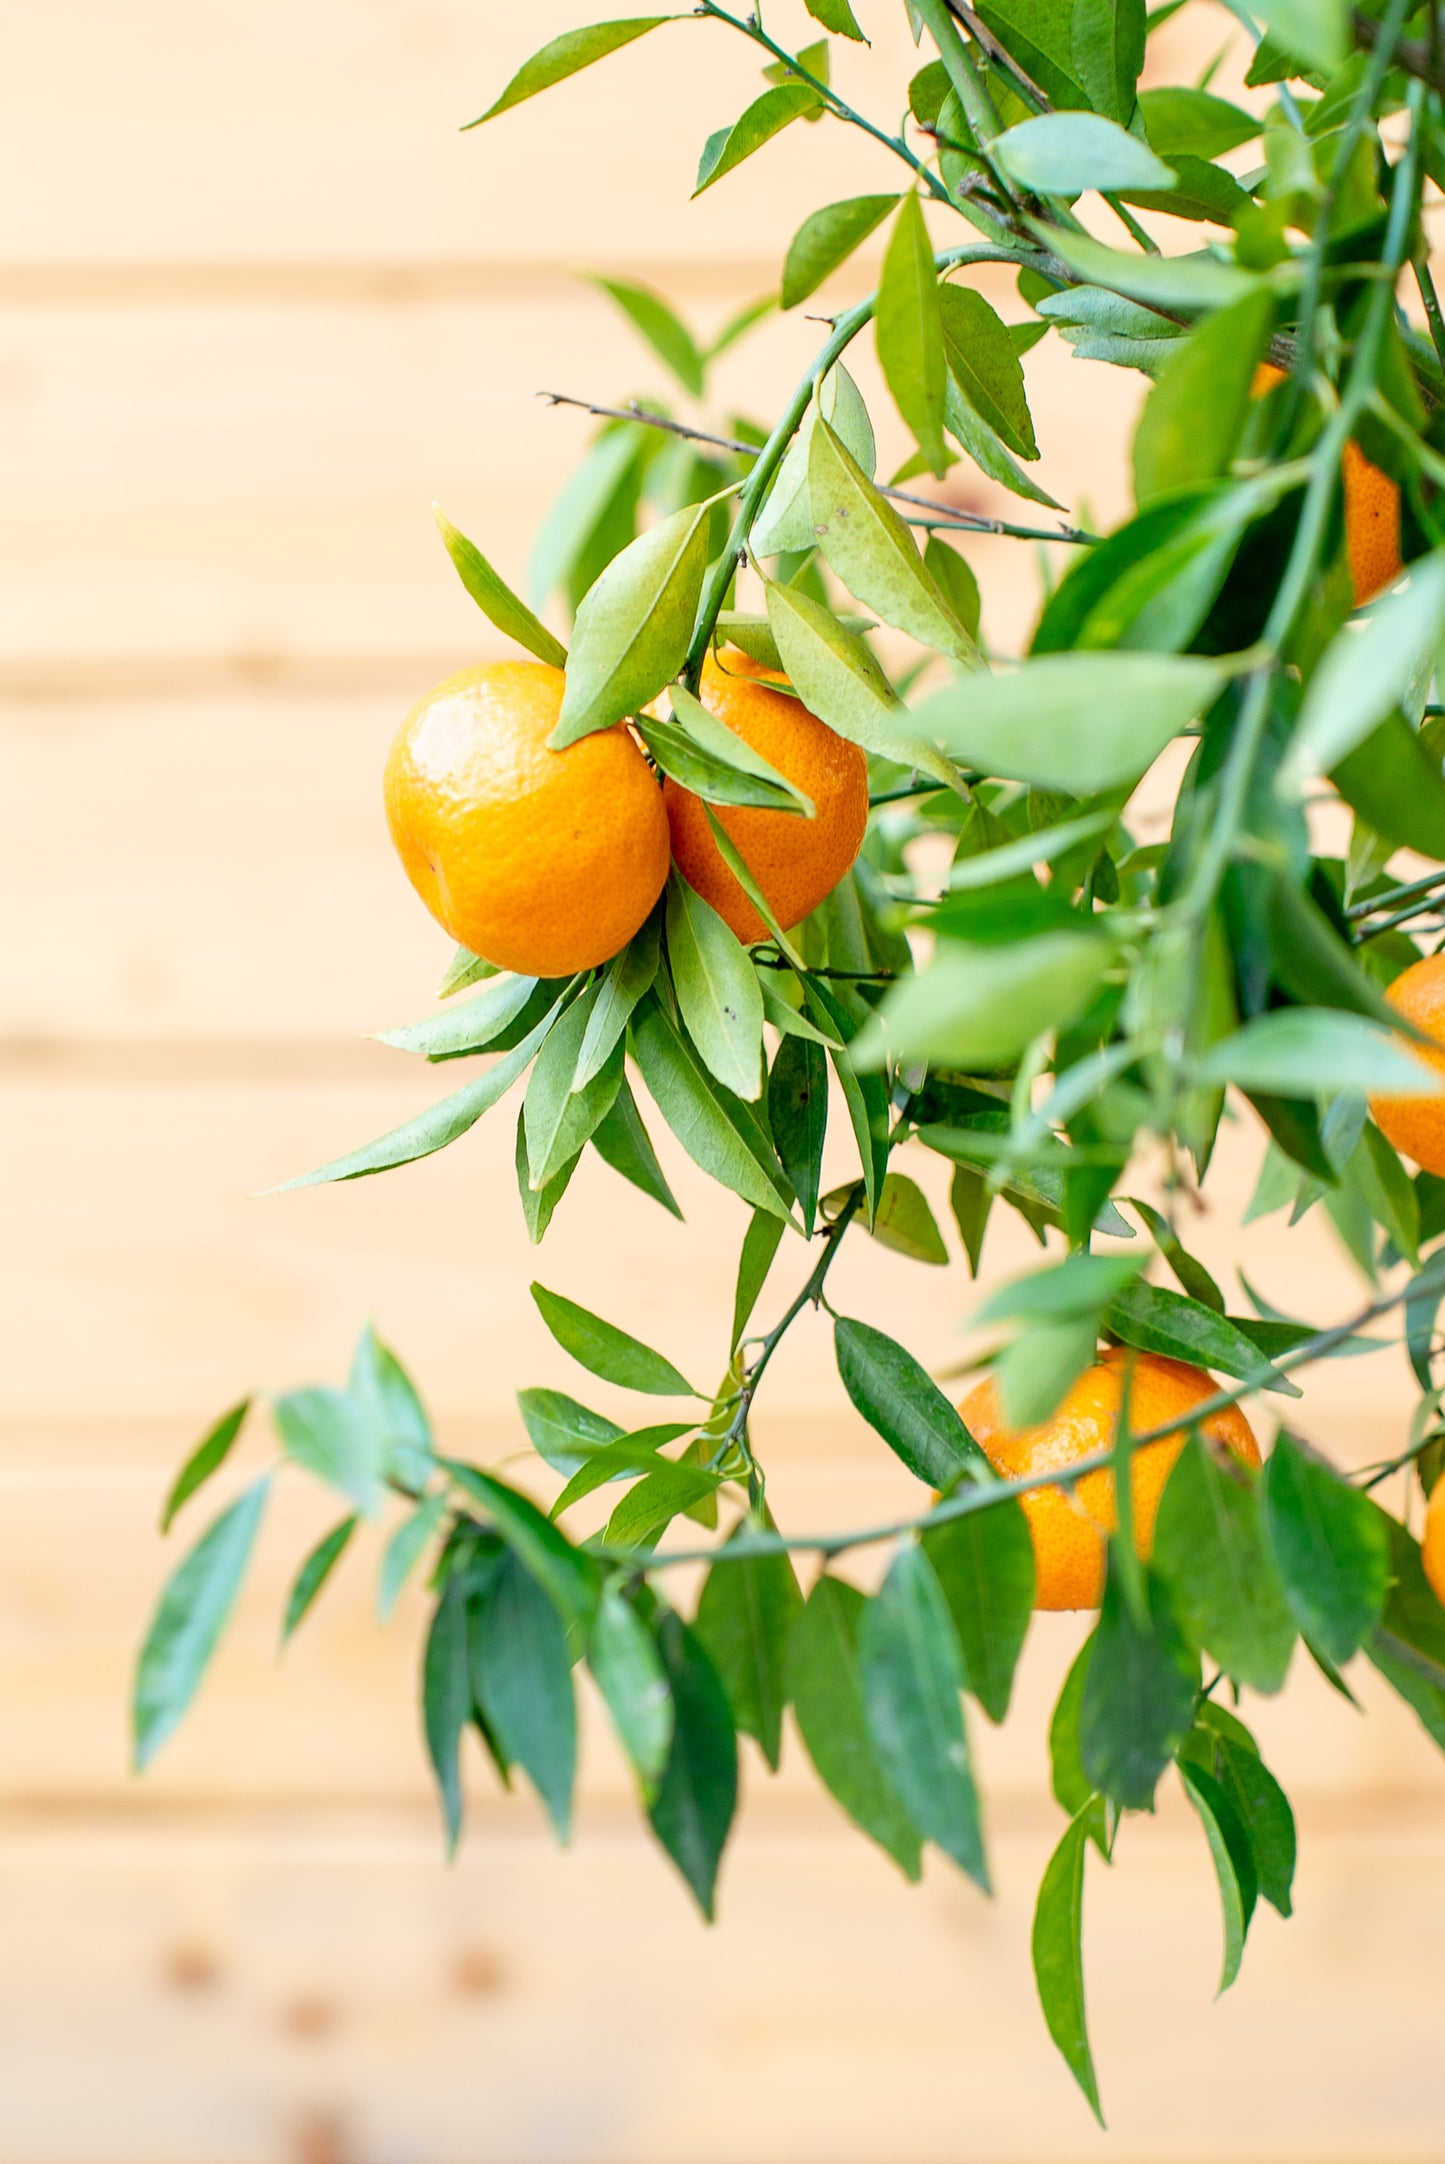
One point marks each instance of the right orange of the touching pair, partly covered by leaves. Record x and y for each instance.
(797, 862)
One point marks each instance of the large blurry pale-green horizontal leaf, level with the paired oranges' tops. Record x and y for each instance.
(1074, 722)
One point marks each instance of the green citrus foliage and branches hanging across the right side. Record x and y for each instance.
(1081, 1001)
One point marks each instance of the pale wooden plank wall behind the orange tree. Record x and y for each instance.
(258, 306)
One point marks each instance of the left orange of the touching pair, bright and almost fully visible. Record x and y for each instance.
(538, 860)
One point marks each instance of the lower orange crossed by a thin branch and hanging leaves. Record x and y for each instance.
(1072, 1527)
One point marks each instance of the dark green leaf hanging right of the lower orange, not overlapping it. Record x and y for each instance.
(1329, 1546)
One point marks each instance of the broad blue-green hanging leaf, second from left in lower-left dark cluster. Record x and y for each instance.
(522, 1680)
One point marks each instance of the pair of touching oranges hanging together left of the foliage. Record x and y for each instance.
(548, 862)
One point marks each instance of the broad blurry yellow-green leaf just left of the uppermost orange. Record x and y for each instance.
(1193, 419)
